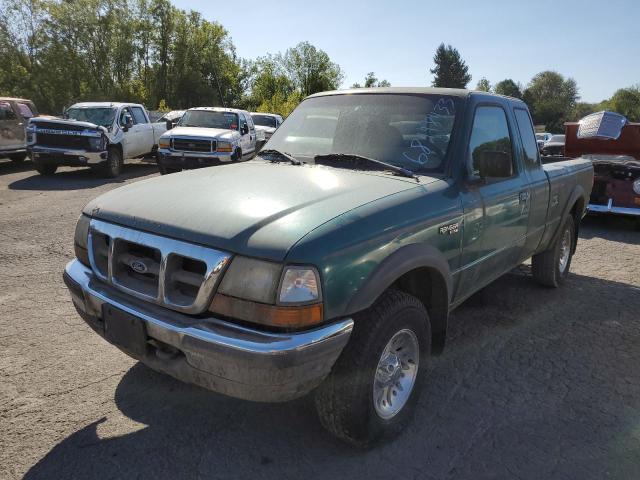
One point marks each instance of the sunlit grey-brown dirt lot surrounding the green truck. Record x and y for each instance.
(535, 383)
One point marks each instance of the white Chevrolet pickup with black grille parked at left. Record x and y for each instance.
(100, 135)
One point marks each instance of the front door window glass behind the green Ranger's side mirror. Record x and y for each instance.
(489, 136)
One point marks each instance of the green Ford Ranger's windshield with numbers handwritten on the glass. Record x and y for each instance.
(408, 131)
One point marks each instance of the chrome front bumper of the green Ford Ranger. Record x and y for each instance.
(218, 355)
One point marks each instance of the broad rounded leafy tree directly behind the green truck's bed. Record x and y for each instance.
(551, 99)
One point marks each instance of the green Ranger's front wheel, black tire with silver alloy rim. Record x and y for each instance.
(372, 390)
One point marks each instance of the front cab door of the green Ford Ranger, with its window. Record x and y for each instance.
(496, 208)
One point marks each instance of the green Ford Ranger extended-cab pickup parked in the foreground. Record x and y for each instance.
(330, 262)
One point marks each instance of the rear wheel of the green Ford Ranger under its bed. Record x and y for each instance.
(551, 268)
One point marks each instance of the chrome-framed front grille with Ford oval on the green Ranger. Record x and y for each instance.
(168, 272)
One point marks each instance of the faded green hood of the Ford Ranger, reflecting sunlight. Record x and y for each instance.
(255, 208)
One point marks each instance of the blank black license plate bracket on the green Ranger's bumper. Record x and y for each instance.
(124, 330)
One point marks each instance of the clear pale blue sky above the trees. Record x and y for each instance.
(595, 42)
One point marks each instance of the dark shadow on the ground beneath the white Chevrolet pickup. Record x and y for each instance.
(80, 178)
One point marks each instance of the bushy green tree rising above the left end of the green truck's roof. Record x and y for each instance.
(310, 69)
